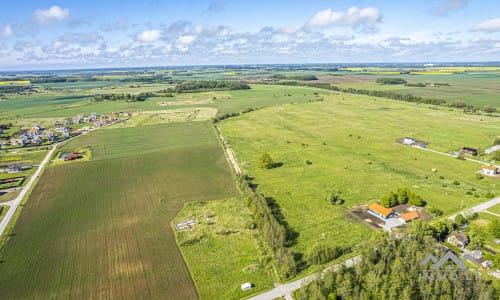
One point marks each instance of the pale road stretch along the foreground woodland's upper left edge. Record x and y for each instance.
(288, 288)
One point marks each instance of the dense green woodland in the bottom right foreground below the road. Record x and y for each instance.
(390, 269)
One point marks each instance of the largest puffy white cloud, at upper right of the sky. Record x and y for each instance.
(353, 17)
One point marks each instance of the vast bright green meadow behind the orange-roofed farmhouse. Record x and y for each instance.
(350, 143)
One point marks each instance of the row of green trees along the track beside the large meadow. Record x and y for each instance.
(272, 230)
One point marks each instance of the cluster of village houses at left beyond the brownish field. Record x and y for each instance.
(37, 135)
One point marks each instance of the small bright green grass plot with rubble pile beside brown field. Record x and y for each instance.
(220, 250)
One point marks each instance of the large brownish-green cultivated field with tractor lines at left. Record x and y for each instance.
(101, 229)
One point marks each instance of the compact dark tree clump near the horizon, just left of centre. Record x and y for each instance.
(210, 85)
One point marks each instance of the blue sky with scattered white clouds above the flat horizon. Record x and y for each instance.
(45, 34)
